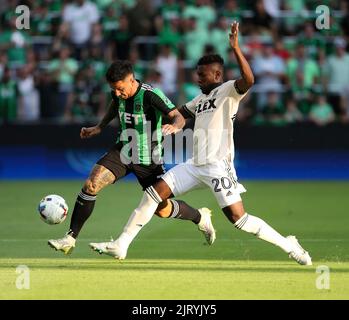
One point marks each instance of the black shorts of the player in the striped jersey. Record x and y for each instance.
(147, 175)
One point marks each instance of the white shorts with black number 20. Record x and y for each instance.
(220, 177)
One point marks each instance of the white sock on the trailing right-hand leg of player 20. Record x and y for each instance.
(262, 230)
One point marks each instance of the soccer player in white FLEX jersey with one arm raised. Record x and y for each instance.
(212, 163)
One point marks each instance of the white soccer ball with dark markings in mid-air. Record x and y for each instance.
(53, 209)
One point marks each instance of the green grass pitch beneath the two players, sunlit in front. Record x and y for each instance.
(168, 259)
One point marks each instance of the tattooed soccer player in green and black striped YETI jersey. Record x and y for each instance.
(139, 109)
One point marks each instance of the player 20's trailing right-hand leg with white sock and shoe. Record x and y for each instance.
(258, 227)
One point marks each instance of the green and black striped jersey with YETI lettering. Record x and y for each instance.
(140, 120)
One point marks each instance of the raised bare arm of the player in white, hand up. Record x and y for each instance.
(247, 80)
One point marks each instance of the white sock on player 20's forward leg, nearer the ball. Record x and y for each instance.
(140, 217)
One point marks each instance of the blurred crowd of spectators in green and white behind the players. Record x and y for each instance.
(54, 71)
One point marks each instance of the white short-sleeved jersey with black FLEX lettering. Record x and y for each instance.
(214, 116)
